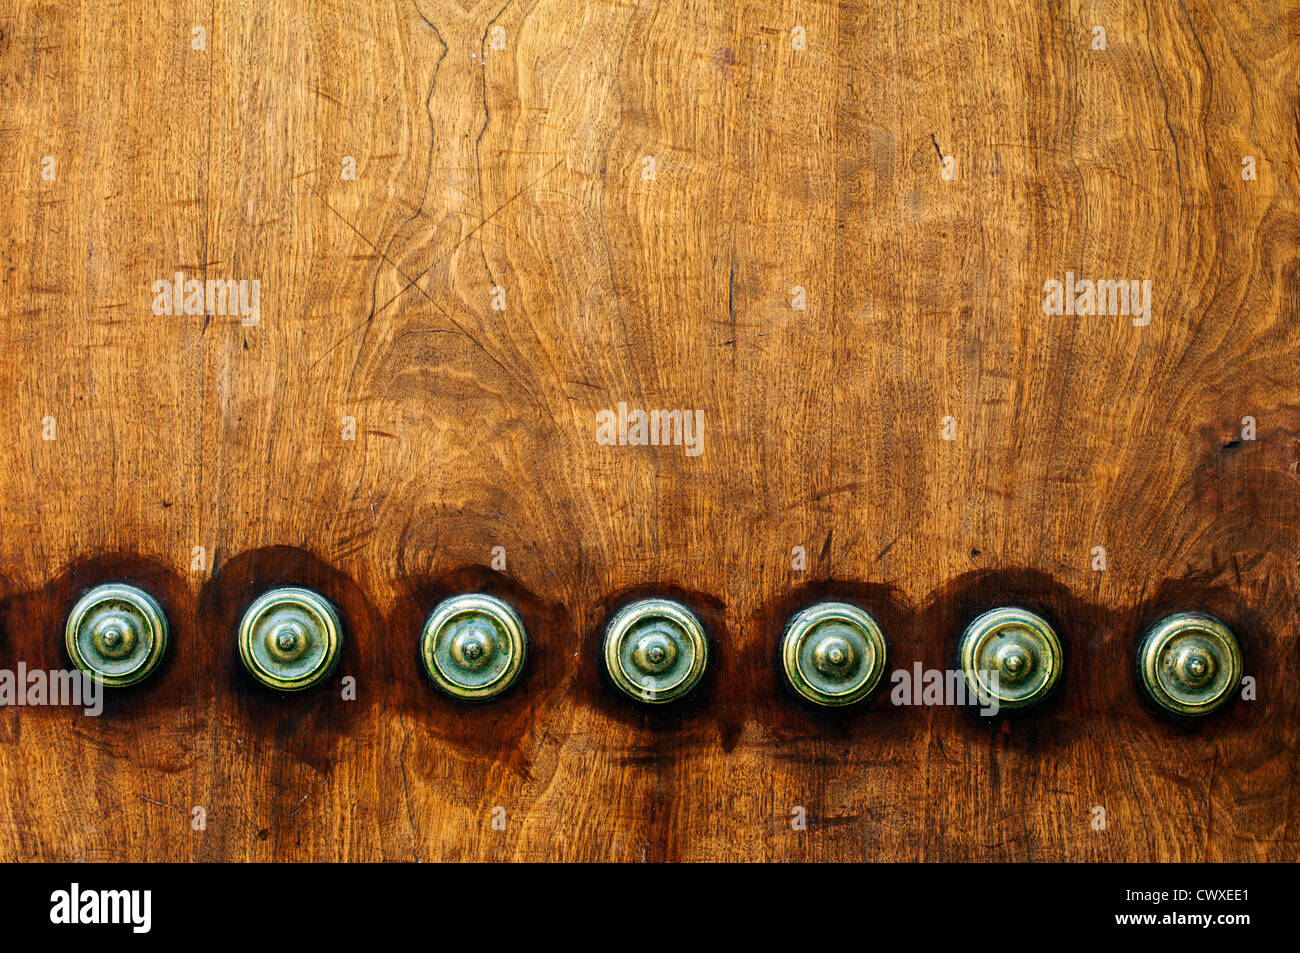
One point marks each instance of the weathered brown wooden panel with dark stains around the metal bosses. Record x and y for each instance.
(525, 170)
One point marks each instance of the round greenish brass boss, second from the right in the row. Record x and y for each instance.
(1012, 657)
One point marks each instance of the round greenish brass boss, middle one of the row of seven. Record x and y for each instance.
(656, 651)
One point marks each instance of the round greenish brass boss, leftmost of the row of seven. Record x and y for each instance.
(116, 634)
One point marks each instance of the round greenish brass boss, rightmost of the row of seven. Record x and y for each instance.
(1190, 664)
